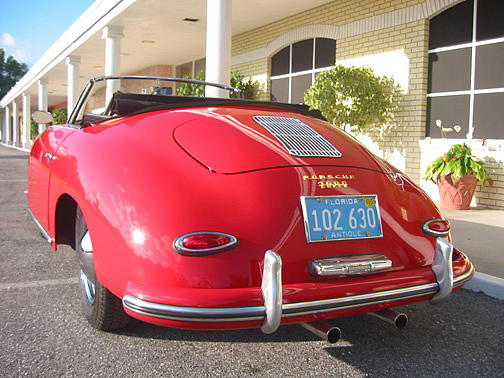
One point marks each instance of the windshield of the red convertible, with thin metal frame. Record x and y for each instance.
(112, 96)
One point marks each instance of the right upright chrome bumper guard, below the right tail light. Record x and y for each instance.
(442, 266)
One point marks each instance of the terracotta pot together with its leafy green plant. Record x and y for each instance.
(456, 174)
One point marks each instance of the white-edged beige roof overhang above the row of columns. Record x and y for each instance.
(155, 34)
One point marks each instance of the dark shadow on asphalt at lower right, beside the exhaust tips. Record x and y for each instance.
(454, 338)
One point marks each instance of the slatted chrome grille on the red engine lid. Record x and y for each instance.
(297, 137)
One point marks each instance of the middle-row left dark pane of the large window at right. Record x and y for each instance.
(450, 70)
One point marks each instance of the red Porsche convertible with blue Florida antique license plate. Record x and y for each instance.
(211, 213)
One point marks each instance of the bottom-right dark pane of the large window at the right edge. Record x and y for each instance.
(489, 115)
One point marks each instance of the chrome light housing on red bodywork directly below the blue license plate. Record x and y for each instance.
(350, 264)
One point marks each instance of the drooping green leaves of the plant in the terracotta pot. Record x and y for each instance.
(458, 162)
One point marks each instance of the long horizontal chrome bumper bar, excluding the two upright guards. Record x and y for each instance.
(234, 314)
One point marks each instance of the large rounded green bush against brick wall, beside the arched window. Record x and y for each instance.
(353, 97)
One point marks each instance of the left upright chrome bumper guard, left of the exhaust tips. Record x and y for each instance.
(272, 291)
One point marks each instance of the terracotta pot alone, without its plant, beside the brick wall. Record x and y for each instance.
(456, 194)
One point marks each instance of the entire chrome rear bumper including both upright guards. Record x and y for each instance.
(273, 310)
